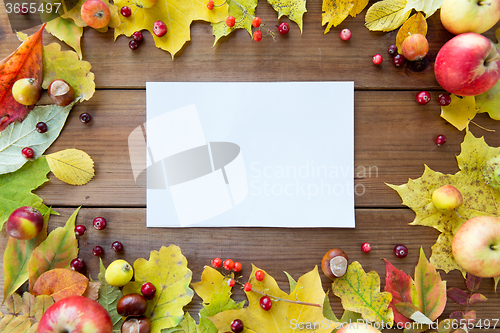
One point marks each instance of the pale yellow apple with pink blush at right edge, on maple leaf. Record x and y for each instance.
(476, 246)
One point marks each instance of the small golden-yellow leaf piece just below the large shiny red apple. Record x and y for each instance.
(460, 111)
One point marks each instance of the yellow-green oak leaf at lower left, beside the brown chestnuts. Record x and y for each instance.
(167, 271)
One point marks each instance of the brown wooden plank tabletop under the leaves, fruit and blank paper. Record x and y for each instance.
(393, 134)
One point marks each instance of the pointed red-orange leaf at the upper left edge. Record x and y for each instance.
(25, 62)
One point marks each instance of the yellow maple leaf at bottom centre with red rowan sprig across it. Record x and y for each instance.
(282, 315)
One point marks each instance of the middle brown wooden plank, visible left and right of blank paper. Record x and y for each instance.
(394, 138)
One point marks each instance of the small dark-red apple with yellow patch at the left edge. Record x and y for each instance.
(24, 223)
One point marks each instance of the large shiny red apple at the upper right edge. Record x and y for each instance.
(467, 65)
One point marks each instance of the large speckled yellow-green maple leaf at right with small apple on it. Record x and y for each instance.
(479, 198)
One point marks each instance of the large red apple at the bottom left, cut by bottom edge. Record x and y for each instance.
(75, 314)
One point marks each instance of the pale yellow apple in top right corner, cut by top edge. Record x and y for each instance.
(459, 16)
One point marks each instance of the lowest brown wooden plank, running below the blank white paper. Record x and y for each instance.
(295, 251)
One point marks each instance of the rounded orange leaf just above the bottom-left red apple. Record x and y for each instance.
(60, 283)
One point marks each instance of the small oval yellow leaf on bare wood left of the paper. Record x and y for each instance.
(71, 166)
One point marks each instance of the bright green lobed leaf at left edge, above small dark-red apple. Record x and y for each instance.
(16, 188)
